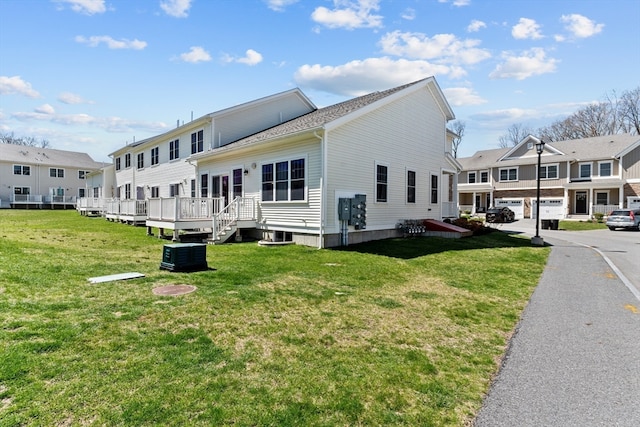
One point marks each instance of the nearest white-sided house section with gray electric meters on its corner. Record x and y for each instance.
(390, 149)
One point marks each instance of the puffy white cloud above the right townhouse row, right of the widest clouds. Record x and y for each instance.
(531, 63)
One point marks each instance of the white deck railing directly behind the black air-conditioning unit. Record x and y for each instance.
(173, 209)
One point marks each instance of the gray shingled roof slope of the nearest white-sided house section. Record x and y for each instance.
(313, 120)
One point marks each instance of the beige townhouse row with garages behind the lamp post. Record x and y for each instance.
(581, 177)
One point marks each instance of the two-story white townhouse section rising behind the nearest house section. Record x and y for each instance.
(157, 168)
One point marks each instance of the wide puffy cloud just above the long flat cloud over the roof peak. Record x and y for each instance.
(446, 48)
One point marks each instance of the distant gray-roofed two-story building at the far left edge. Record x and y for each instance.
(42, 177)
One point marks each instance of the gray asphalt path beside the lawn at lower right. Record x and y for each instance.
(575, 357)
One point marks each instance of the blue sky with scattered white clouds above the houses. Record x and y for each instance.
(94, 75)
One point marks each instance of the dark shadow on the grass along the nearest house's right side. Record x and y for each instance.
(415, 247)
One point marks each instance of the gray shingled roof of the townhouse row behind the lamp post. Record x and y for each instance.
(600, 147)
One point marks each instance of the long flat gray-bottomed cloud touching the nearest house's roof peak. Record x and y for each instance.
(358, 78)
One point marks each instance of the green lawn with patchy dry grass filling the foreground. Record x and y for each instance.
(398, 332)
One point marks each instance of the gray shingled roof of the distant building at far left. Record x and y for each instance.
(21, 154)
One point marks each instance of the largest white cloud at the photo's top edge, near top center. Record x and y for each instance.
(355, 14)
